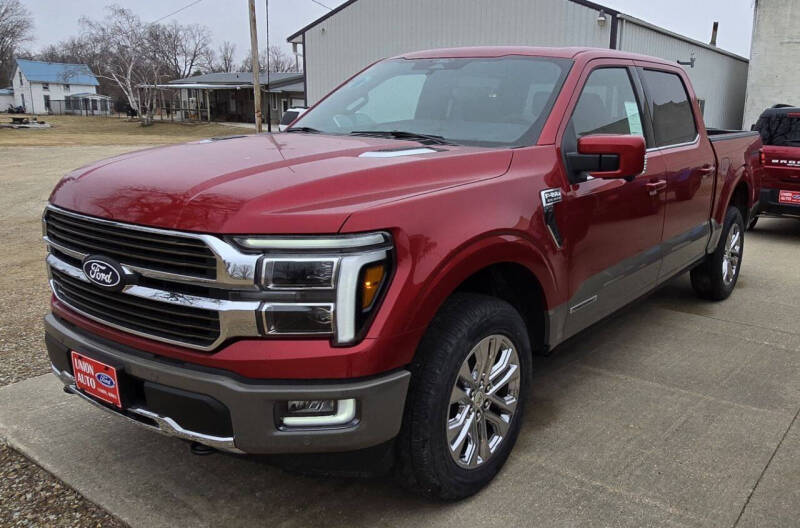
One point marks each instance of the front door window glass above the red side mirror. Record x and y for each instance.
(607, 105)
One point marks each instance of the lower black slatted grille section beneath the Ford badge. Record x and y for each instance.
(157, 319)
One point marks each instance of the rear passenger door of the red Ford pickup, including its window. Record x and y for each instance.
(690, 166)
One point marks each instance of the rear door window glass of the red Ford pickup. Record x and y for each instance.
(673, 119)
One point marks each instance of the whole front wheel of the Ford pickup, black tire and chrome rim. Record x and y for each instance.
(469, 380)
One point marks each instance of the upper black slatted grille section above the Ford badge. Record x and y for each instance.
(130, 246)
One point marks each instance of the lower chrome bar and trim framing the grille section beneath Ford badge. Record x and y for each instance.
(236, 318)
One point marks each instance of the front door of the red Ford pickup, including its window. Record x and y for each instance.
(614, 226)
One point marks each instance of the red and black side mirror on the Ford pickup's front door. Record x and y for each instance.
(608, 156)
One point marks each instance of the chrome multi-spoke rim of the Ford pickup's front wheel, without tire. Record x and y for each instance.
(483, 401)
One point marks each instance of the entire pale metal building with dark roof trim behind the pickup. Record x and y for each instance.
(360, 32)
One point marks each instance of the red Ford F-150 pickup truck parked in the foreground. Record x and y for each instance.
(381, 274)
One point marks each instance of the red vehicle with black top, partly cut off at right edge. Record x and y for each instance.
(779, 127)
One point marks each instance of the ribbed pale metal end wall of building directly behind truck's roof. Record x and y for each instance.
(369, 30)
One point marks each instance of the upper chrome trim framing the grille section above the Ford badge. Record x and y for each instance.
(234, 268)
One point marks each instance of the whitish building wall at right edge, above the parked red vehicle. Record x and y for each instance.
(775, 58)
